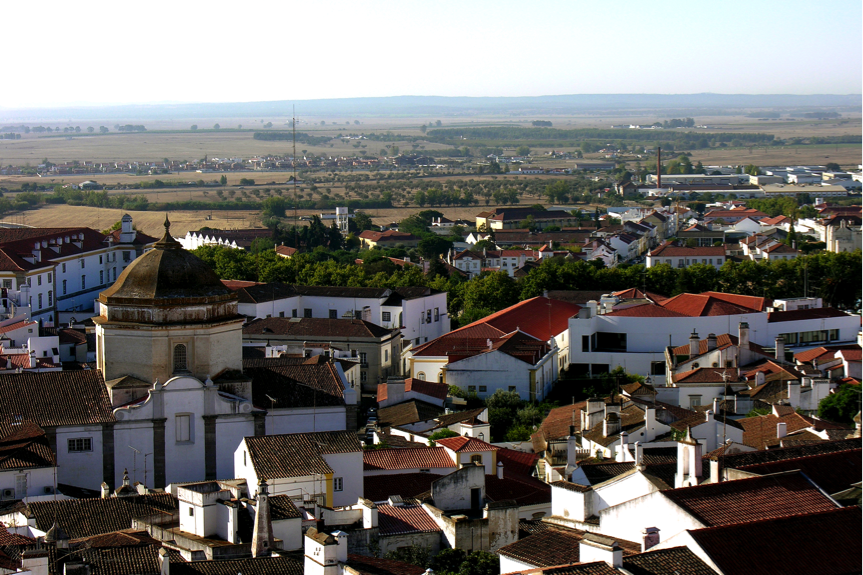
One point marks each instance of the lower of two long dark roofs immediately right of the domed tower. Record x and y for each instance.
(304, 327)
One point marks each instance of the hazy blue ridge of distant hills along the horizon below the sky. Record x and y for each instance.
(440, 106)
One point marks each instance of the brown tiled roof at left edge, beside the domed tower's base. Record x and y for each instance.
(43, 398)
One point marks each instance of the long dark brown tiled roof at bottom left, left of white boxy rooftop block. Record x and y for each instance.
(85, 517)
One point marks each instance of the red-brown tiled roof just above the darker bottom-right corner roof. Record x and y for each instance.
(751, 499)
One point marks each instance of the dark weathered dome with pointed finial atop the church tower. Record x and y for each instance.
(168, 273)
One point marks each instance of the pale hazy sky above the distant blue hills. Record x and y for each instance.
(97, 52)
